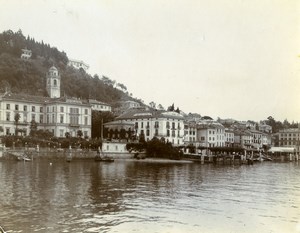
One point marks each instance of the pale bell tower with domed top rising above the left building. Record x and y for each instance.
(53, 83)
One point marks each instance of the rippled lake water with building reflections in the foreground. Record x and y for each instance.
(140, 196)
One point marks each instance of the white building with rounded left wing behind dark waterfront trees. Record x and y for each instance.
(155, 123)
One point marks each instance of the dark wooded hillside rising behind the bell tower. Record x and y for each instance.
(29, 76)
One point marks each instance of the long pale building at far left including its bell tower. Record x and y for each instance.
(58, 115)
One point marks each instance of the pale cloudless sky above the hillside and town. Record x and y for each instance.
(225, 58)
